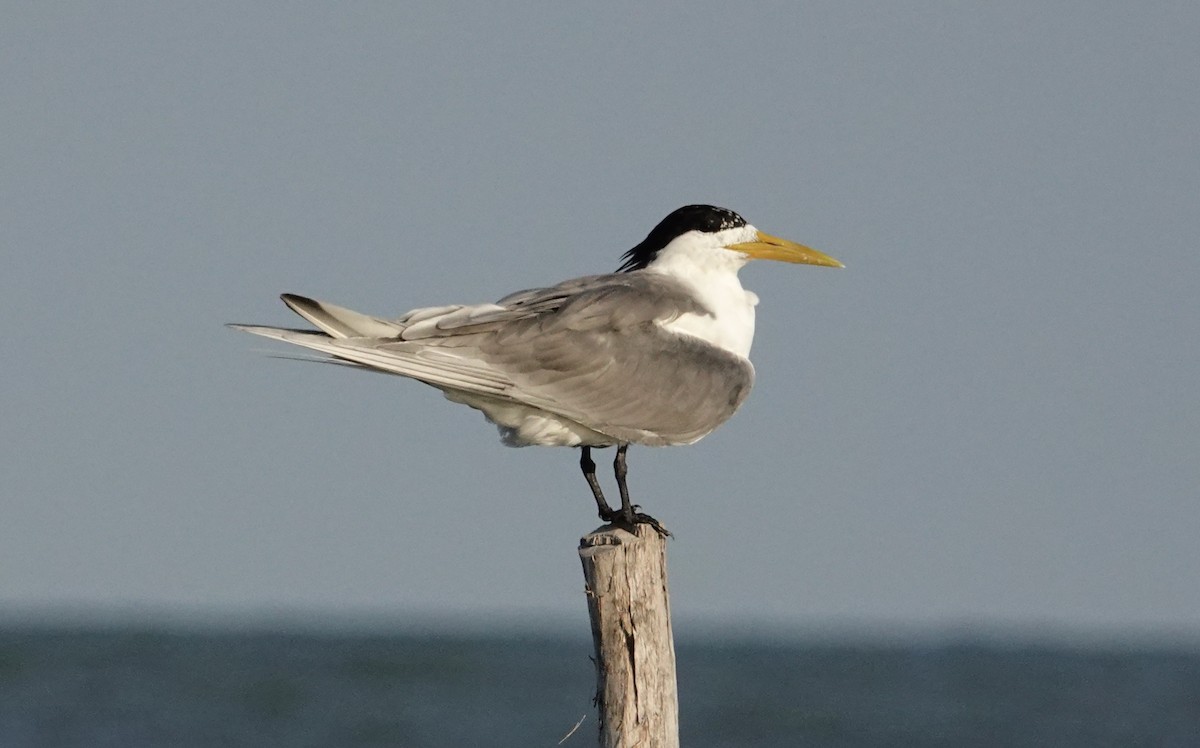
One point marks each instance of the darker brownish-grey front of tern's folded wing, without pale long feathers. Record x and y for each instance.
(605, 361)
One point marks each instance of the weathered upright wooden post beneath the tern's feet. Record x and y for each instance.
(627, 588)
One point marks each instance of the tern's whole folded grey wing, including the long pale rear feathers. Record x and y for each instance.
(591, 350)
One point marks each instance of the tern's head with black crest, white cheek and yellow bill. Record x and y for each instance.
(707, 229)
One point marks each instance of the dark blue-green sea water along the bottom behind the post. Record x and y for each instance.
(131, 689)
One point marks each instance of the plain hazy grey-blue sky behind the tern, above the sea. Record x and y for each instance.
(991, 418)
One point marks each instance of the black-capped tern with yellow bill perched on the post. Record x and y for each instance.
(656, 354)
